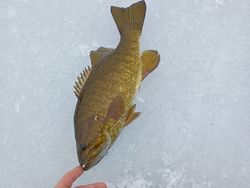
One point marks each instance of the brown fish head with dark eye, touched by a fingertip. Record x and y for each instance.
(94, 144)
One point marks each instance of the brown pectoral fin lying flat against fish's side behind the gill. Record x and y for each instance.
(116, 108)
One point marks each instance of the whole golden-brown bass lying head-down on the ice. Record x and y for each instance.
(105, 90)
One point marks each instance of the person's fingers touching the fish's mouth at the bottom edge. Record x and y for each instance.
(68, 179)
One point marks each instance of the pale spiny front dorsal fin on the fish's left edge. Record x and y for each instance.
(81, 80)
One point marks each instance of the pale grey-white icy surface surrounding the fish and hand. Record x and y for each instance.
(194, 131)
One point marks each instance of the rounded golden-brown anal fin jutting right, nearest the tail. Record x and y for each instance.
(150, 60)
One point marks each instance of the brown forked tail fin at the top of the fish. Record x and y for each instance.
(130, 18)
